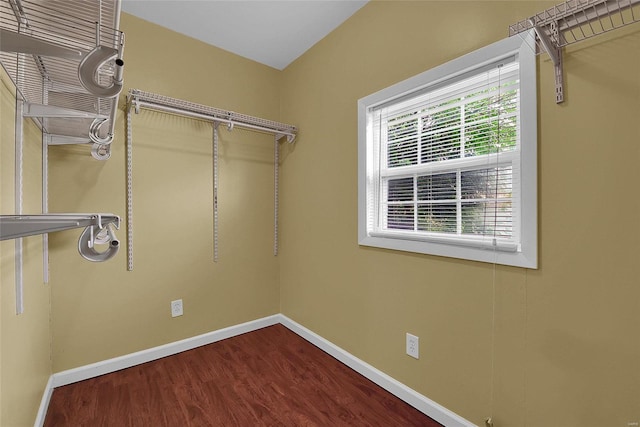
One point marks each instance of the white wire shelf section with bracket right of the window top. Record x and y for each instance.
(573, 21)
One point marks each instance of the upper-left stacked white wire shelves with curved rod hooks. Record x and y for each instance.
(65, 59)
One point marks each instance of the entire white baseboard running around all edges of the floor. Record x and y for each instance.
(412, 397)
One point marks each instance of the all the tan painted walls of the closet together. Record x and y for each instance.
(554, 346)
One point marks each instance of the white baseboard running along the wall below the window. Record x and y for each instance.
(401, 391)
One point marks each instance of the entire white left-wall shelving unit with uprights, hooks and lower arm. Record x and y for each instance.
(65, 59)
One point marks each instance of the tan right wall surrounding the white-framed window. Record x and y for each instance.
(557, 346)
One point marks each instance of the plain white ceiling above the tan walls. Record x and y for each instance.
(271, 32)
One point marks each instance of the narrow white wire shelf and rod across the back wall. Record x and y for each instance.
(279, 129)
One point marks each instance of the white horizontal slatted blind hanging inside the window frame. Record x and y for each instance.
(447, 160)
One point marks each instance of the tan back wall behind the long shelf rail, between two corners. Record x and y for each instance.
(101, 310)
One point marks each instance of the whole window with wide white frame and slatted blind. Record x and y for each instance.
(448, 159)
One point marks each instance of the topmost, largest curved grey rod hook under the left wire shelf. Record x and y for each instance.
(88, 70)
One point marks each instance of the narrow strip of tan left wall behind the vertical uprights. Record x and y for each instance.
(25, 351)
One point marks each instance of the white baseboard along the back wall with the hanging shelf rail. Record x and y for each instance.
(122, 362)
